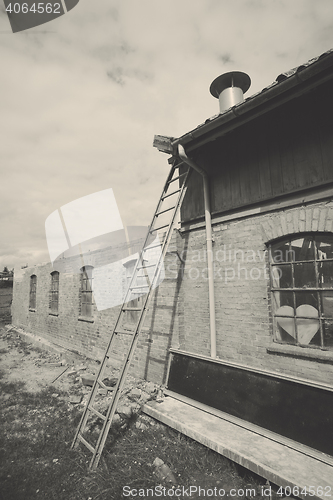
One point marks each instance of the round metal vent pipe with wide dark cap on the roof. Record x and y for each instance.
(229, 88)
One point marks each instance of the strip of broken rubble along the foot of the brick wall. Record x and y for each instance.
(67, 373)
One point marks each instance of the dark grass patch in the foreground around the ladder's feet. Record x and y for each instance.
(37, 462)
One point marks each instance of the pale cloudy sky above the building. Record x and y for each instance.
(83, 96)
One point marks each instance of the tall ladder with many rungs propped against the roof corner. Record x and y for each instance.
(150, 272)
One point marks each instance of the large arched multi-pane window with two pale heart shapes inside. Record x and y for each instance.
(301, 270)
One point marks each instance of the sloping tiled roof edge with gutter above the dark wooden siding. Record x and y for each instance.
(288, 85)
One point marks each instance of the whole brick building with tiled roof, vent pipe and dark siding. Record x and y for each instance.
(253, 337)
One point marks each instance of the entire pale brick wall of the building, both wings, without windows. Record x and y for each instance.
(179, 310)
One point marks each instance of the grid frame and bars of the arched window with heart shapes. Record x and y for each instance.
(318, 291)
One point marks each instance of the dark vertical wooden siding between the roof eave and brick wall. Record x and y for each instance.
(287, 150)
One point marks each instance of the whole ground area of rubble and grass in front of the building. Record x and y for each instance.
(42, 396)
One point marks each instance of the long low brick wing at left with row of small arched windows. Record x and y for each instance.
(56, 304)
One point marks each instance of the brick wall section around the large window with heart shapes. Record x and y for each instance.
(244, 329)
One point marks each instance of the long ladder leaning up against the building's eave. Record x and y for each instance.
(152, 282)
